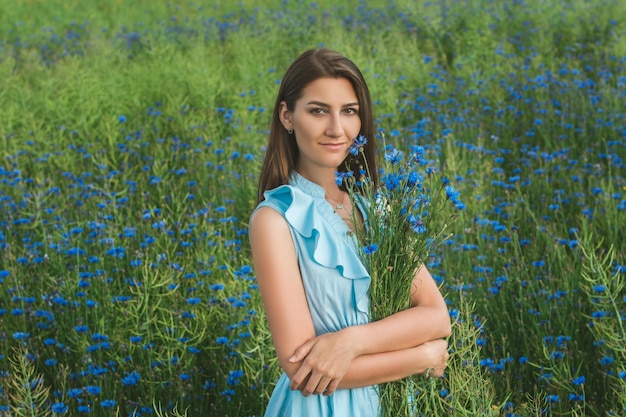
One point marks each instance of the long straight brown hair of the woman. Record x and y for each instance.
(282, 151)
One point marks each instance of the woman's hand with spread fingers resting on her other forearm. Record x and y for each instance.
(324, 361)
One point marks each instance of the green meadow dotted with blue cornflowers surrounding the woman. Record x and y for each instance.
(131, 136)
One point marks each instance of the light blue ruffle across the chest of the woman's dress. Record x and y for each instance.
(323, 231)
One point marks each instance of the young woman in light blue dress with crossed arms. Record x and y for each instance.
(313, 285)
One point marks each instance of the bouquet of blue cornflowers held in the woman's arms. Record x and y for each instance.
(407, 213)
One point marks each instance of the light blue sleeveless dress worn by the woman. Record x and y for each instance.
(337, 290)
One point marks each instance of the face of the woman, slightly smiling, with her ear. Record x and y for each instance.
(325, 122)
